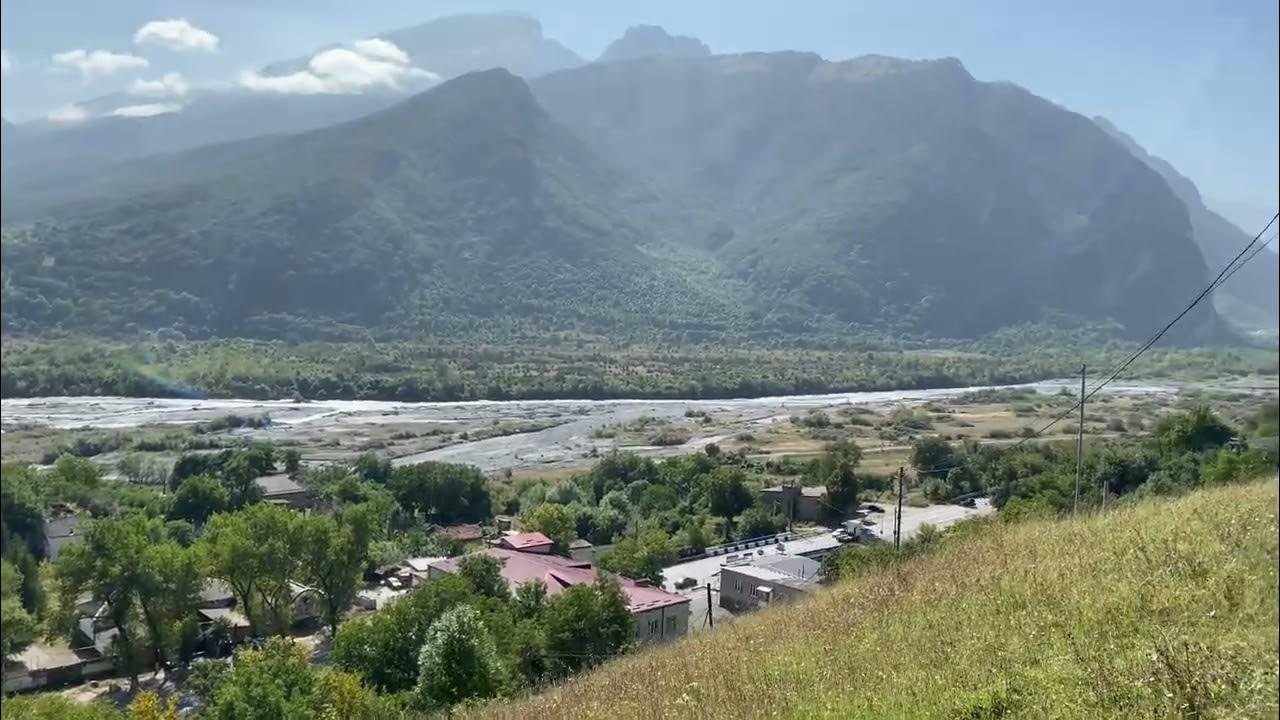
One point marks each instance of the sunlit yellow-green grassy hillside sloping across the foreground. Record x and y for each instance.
(1160, 609)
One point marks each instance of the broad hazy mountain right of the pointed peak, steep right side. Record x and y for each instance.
(895, 193)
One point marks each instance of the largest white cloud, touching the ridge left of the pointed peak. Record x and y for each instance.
(344, 71)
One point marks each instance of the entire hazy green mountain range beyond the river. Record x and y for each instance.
(660, 193)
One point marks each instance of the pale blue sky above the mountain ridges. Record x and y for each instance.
(1194, 81)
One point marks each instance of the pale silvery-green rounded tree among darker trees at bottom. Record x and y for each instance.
(459, 660)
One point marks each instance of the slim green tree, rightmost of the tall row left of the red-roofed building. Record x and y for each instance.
(335, 553)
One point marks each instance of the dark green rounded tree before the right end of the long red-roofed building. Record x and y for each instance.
(587, 626)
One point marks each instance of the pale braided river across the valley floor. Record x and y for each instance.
(569, 441)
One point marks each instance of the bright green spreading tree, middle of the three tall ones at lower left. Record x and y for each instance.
(257, 553)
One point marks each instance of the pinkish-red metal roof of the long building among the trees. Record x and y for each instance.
(560, 573)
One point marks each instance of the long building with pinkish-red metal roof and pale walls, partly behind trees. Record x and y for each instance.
(659, 614)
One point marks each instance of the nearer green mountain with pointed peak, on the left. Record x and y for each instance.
(463, 209)
